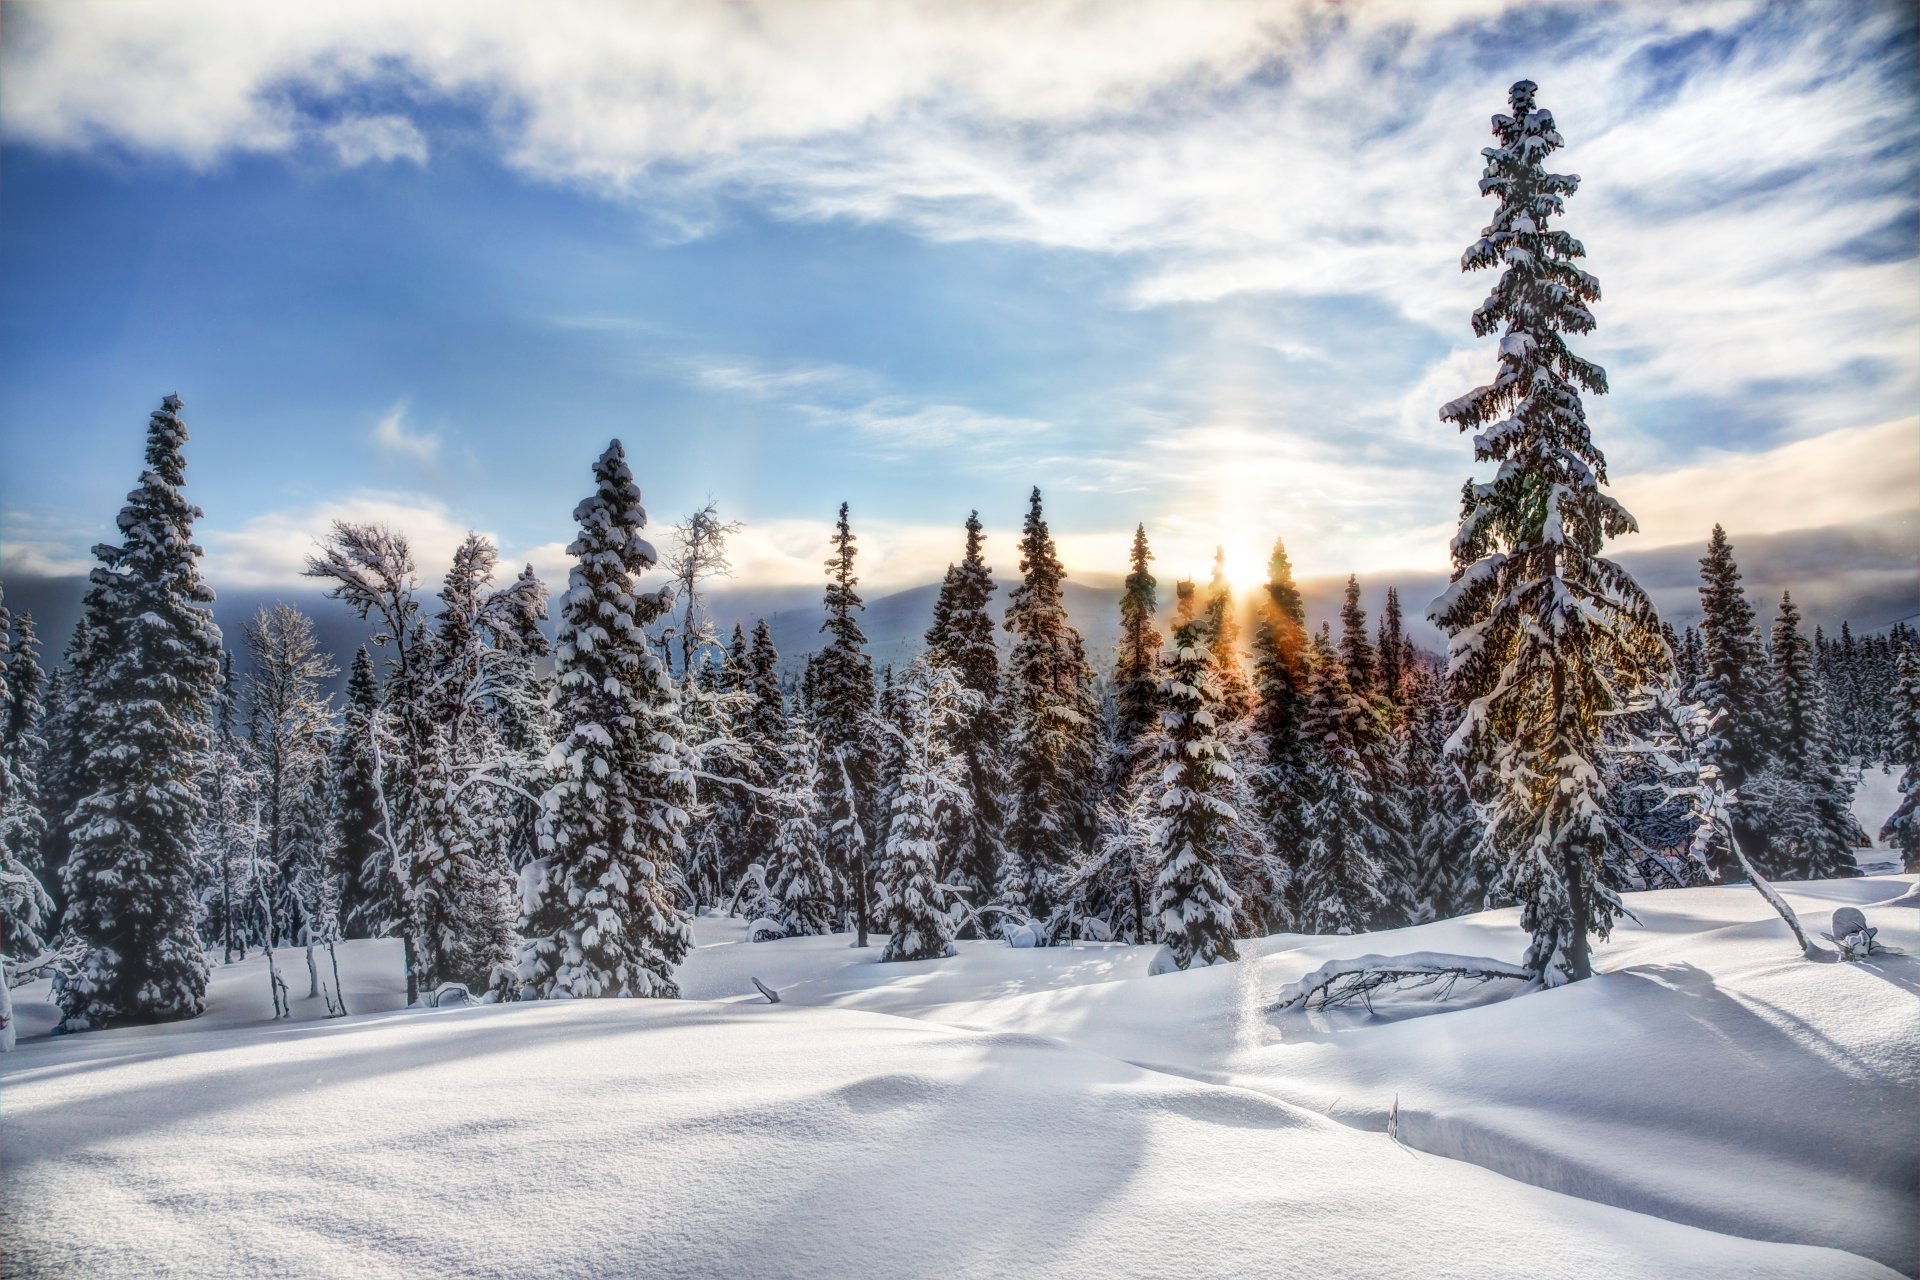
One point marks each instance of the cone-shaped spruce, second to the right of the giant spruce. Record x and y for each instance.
(1806, 790)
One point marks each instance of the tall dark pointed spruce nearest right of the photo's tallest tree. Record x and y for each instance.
(1735, 690)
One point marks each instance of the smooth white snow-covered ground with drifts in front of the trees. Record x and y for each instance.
(1710, 1106)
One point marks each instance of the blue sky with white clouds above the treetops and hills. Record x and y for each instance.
(1193, 266)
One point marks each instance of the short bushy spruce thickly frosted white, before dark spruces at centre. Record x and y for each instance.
(915, 907)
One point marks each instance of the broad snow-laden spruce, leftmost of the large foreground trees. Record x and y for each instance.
(130, 878)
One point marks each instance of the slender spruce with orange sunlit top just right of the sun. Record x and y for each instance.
(1284, 772)
